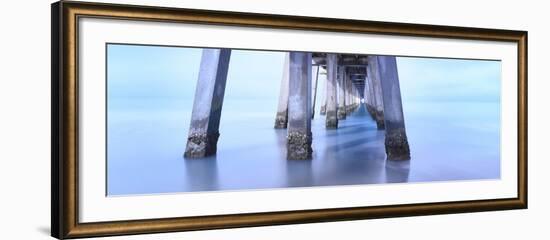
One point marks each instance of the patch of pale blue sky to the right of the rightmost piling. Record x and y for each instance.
(436, 79)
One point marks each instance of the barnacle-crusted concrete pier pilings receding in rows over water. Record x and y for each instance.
(350, 79)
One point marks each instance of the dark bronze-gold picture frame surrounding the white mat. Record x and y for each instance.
(65, 124)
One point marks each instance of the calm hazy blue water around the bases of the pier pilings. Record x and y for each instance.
(146, 140)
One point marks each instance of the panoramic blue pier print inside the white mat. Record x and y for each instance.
(188, 119)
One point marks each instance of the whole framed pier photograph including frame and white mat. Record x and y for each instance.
(169, 119)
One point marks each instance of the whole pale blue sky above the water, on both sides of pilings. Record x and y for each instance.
(171, 72)
